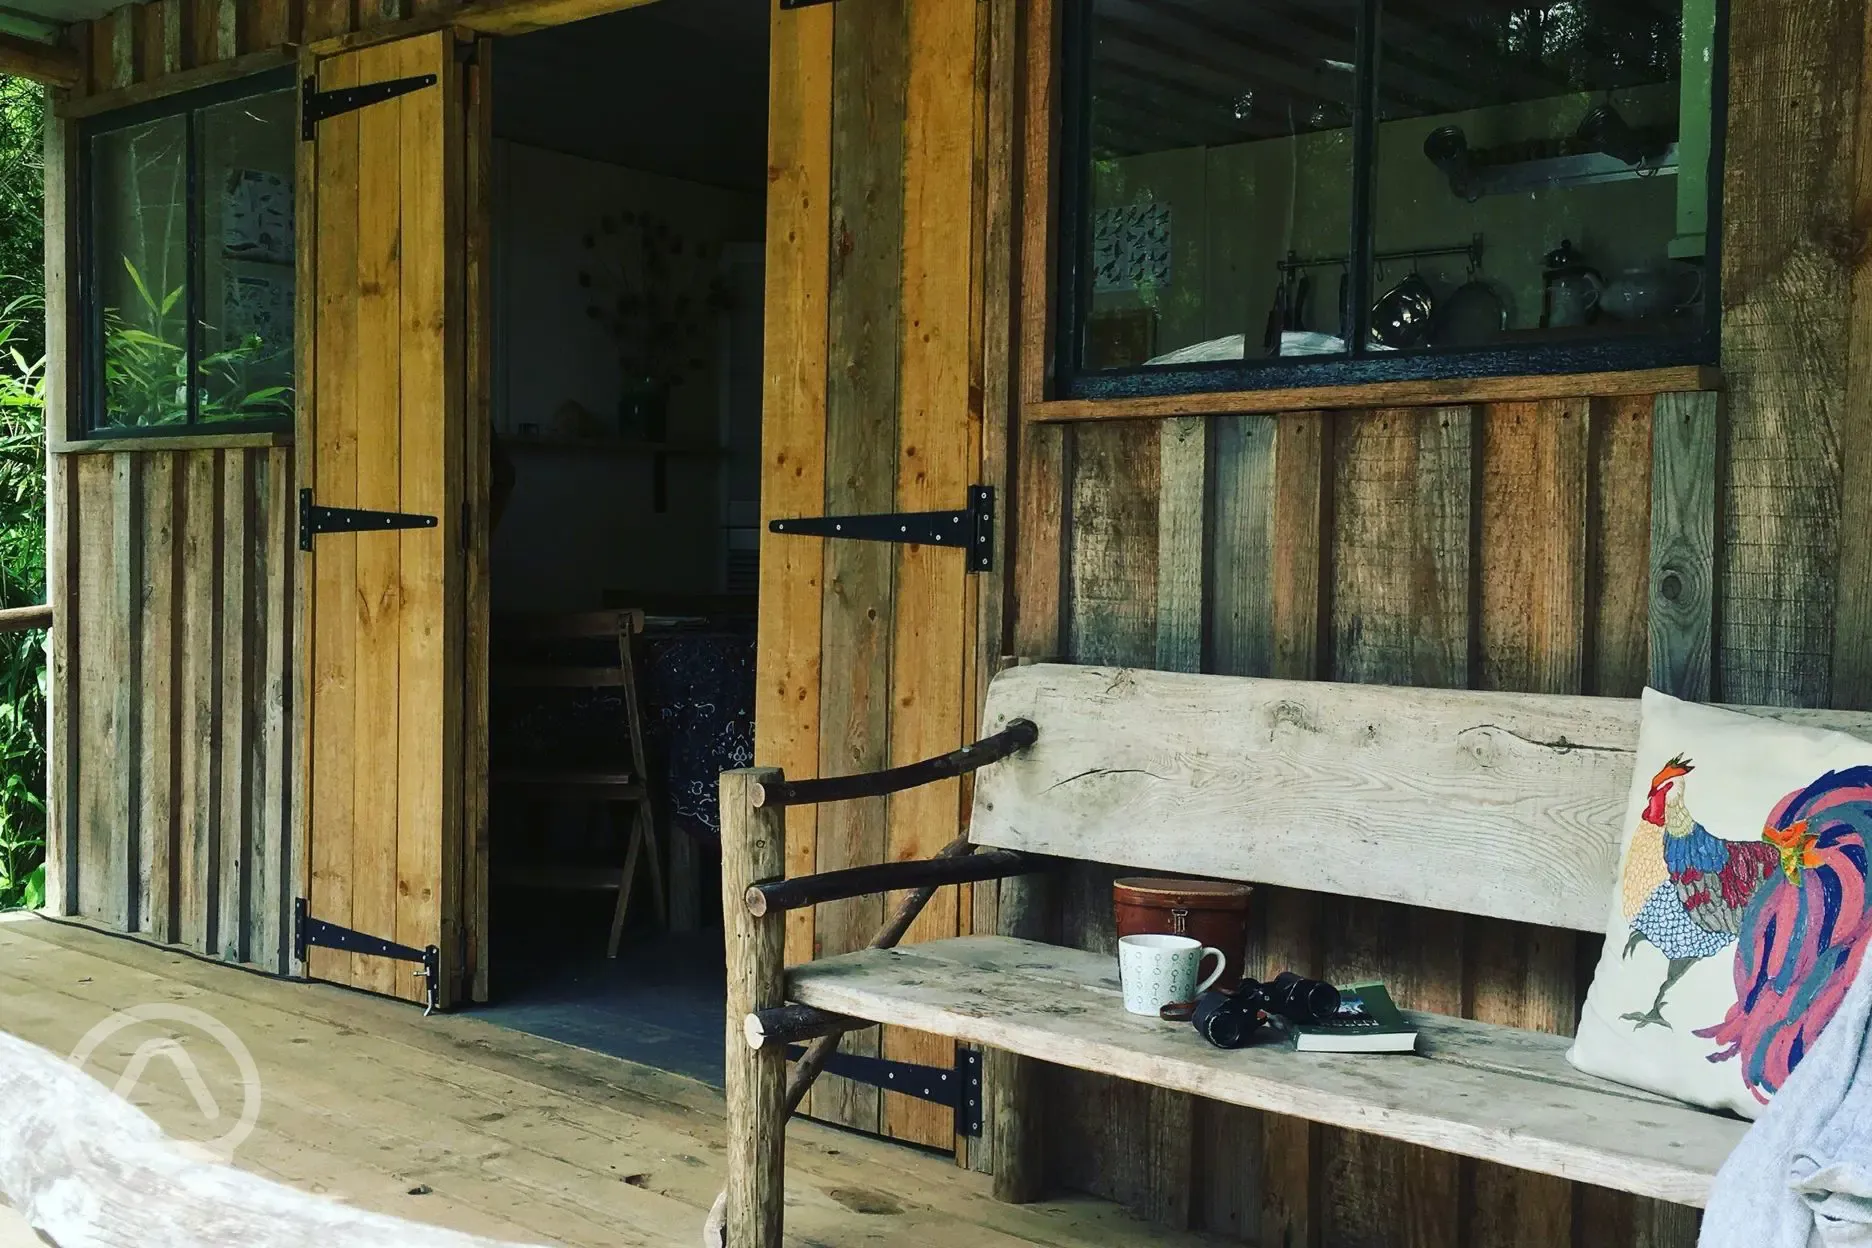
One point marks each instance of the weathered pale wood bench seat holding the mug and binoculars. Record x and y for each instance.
(1484, 1092)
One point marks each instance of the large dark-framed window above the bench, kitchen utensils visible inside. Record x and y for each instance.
(1274, 194)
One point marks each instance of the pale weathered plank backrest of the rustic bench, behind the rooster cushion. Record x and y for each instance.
(1484, 804)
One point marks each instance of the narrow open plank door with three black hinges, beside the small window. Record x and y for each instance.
(385, 431)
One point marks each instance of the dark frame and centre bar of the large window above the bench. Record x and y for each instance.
(1072, 287)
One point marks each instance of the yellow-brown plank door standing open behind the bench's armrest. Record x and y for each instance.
(871, 654)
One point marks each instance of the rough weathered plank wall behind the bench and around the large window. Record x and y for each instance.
(1708, 545)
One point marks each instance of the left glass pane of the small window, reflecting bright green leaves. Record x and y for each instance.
(139, 263)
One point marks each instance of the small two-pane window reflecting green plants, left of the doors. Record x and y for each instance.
(188, 259)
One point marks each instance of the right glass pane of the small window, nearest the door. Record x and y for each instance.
(248, 259)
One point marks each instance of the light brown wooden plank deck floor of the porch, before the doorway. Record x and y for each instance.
(461, 1124)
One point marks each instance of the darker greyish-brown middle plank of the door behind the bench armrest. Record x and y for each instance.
(870, 66)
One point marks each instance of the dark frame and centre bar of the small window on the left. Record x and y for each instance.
(91, 390)
